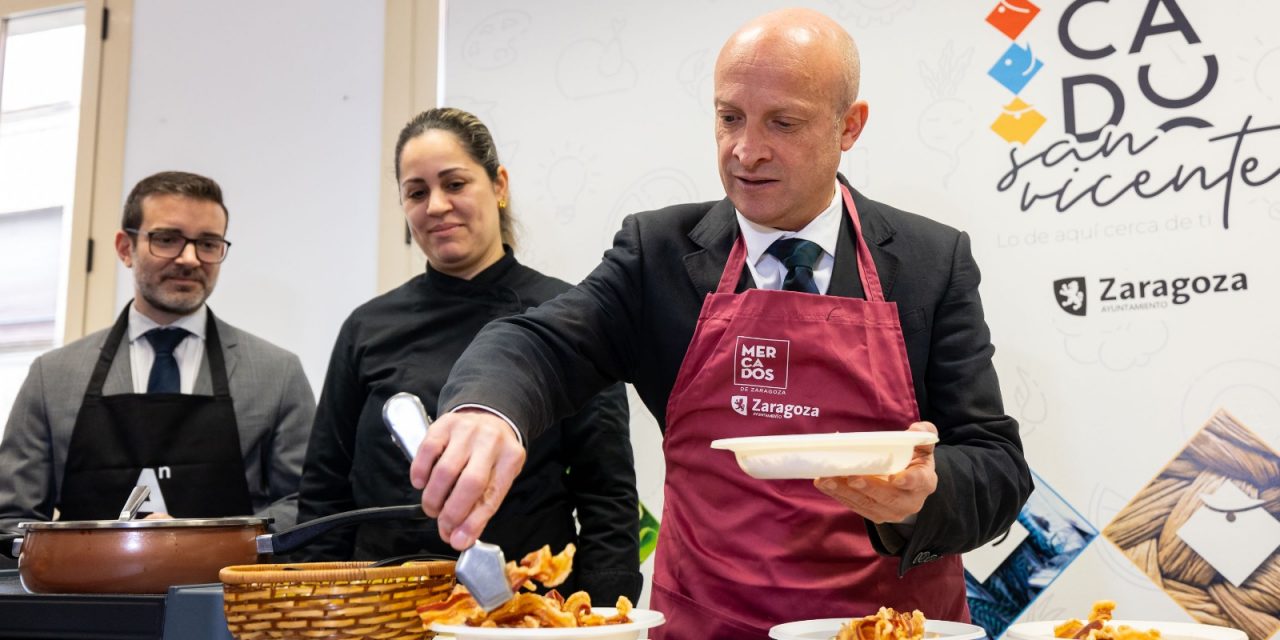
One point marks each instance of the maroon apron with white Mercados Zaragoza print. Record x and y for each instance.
(738, 556)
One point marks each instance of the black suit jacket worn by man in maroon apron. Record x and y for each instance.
(633, 318)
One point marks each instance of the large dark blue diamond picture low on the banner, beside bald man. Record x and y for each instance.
(1057, 534)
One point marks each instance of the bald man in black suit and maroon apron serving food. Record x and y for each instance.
(858, 317)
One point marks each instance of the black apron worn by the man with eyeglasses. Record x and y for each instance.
(186, 445)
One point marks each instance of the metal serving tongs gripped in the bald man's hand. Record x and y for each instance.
(482, 568)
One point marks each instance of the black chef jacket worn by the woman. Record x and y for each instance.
(406, 341)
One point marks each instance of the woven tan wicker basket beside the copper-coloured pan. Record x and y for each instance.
(332, 600)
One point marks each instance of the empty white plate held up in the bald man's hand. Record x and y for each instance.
(808, 456)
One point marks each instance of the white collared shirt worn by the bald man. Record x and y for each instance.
(770, 272)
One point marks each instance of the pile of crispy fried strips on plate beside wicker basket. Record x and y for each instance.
(527, 610)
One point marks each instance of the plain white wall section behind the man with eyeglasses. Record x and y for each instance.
(281, 104)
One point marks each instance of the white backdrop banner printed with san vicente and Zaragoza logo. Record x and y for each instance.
(1118, 167)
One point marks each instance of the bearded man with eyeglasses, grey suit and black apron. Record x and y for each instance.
(213, 419)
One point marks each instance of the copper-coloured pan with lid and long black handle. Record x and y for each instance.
(149, 556)
